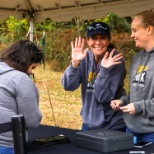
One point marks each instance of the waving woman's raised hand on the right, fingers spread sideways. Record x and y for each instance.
(110, 60)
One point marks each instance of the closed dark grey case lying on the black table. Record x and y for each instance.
(104, 140)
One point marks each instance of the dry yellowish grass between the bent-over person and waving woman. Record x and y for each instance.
(58, 107)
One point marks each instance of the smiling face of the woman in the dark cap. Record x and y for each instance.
(98, 44)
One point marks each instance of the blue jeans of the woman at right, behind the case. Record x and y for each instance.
(148, 137)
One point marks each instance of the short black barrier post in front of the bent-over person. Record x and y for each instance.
(18, 130)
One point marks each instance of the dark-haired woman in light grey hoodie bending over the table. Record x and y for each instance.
(18, 93)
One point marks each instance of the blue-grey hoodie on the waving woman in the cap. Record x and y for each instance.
(99, 86)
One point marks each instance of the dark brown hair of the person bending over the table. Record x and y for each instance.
(21, 55)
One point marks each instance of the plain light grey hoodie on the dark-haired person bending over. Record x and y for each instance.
(18, 95)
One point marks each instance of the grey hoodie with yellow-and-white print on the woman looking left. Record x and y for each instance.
(141, 93)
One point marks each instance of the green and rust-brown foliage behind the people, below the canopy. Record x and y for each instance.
(59, 35)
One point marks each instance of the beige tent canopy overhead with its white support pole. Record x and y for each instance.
(58, 10)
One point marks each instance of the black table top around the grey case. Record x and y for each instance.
(69, 147)
